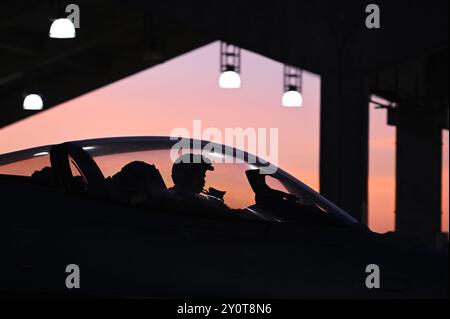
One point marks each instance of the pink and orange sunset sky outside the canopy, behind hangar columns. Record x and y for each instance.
(175, 93)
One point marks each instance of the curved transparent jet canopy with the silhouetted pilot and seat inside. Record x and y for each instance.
(148, 173)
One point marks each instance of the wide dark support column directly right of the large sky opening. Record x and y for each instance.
(344, 126)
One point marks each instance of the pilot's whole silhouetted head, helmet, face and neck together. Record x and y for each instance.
(189, 173)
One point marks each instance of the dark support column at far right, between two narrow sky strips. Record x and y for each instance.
(418, 173)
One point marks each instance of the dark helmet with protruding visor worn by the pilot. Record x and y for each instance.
(186, 165)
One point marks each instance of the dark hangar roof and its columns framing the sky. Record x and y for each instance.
(405, 61)
